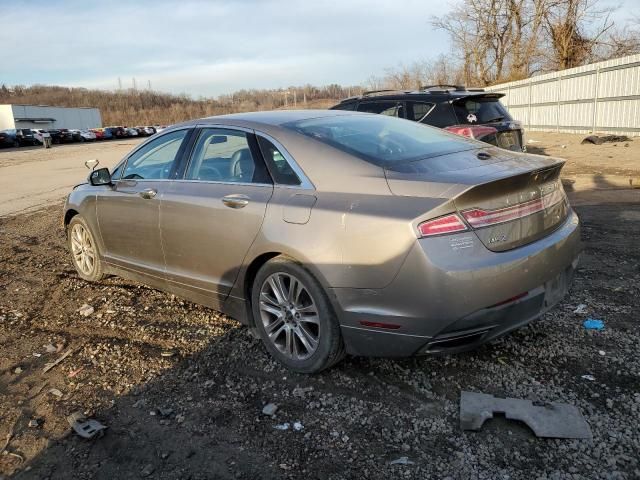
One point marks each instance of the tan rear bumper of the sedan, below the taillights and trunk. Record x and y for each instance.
(448, 299)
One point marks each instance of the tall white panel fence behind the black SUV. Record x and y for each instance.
(600, 97)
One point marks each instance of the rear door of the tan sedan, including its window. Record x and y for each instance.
(210, 217)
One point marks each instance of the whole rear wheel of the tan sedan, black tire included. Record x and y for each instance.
(303, 332)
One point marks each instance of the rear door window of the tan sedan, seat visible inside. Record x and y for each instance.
(224, 155)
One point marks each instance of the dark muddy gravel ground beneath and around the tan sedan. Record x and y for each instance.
(182, 388)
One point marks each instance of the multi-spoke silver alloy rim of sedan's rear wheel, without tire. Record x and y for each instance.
(289, 315)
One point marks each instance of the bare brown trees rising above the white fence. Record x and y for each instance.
(499, 40)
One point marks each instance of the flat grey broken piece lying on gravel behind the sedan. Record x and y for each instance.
(554, 420)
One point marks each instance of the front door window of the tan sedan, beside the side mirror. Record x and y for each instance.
(154, 160)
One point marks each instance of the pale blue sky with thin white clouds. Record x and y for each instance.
(213, 47)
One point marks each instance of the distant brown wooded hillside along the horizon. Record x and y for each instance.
(145, 107)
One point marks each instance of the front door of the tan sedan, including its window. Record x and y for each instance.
(129, 212)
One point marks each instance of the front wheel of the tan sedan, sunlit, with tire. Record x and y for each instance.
(84, 250)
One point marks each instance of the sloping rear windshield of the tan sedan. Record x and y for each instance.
(380, 139)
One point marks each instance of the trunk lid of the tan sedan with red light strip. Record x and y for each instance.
(507, 199)
